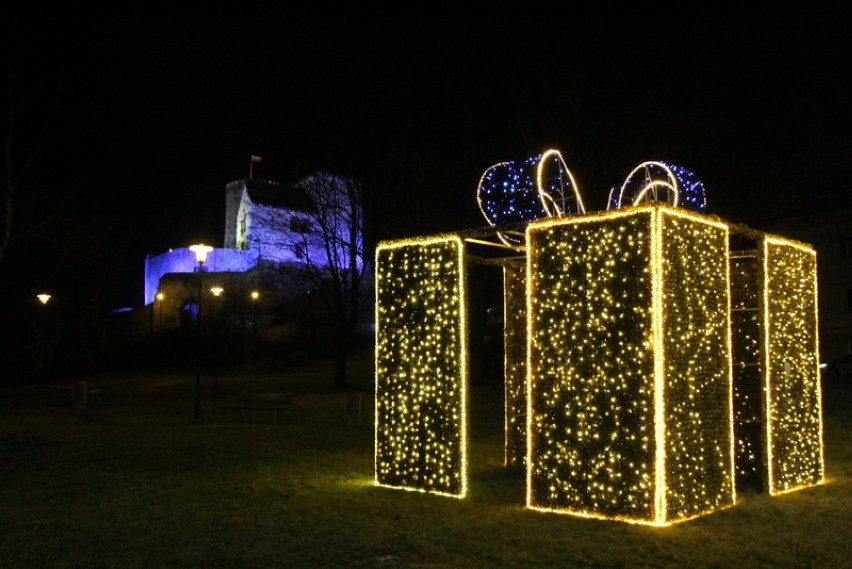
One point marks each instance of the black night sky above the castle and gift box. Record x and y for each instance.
(170, 102)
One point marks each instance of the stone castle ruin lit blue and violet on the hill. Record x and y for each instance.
(272, 232)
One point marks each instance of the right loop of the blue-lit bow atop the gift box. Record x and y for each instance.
(663, 182)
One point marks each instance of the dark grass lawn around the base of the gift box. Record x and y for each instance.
(133, 481)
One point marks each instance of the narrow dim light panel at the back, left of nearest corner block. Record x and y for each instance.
(515, 366)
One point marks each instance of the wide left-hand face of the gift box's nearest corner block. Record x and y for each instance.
(584, 359)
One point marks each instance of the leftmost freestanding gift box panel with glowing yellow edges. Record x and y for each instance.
(421, 366)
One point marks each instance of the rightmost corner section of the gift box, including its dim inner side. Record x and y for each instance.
(778, 404)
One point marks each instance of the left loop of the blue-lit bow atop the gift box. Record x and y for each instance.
(522, 191)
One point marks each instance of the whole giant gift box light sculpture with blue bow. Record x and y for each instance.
(656, 358)
